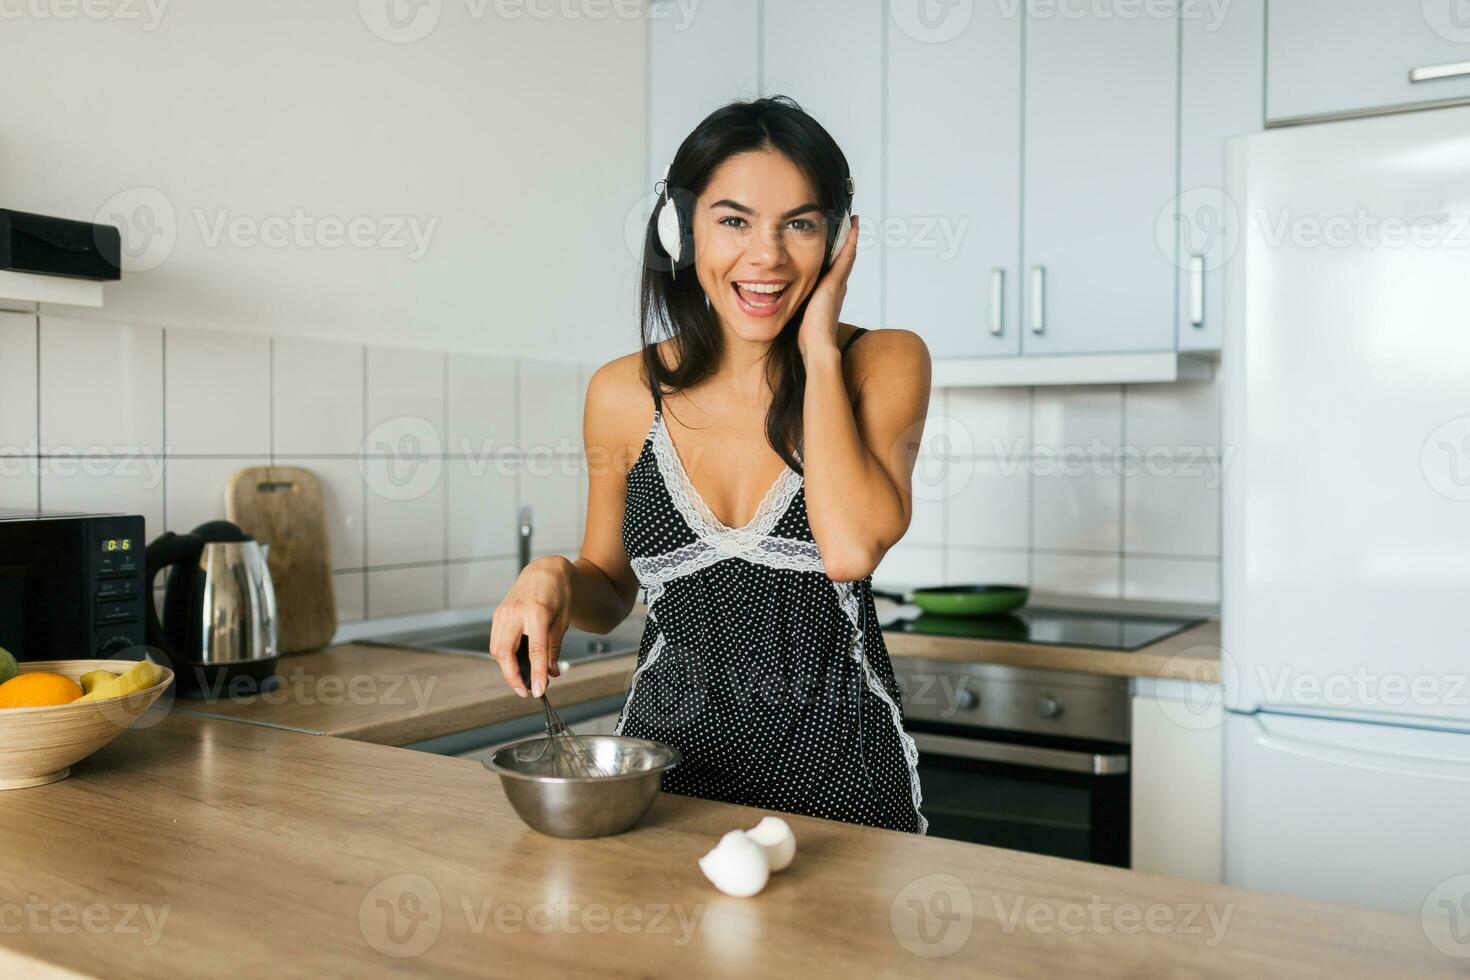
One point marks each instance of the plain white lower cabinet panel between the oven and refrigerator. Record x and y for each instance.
(1178, 809)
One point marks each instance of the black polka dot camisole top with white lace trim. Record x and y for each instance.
(772, 680)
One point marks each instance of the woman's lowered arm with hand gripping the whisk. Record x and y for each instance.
(599, 590)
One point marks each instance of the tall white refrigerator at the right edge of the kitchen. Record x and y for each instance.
(1346, 608)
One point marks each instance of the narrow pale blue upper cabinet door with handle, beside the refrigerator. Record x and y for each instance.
(1206, 226)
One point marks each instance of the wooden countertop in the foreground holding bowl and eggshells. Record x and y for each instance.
(208, 849)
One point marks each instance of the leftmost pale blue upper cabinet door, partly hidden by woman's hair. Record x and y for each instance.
(699, 60)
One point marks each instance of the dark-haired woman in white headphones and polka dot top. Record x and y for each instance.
(749, 472)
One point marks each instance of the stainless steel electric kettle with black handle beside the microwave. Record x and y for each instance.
(220, 610)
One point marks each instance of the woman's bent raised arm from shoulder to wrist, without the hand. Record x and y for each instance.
(861, 447)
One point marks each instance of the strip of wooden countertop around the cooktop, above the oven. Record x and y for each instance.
(1191, 655)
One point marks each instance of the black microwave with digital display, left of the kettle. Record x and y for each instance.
(71, 586)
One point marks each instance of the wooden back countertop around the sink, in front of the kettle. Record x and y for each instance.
(395, 696)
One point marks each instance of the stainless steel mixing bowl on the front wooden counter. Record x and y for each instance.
(587, 806)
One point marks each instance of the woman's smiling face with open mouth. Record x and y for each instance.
(759, 240)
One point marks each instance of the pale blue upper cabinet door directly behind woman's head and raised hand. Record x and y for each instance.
(828, 57)
